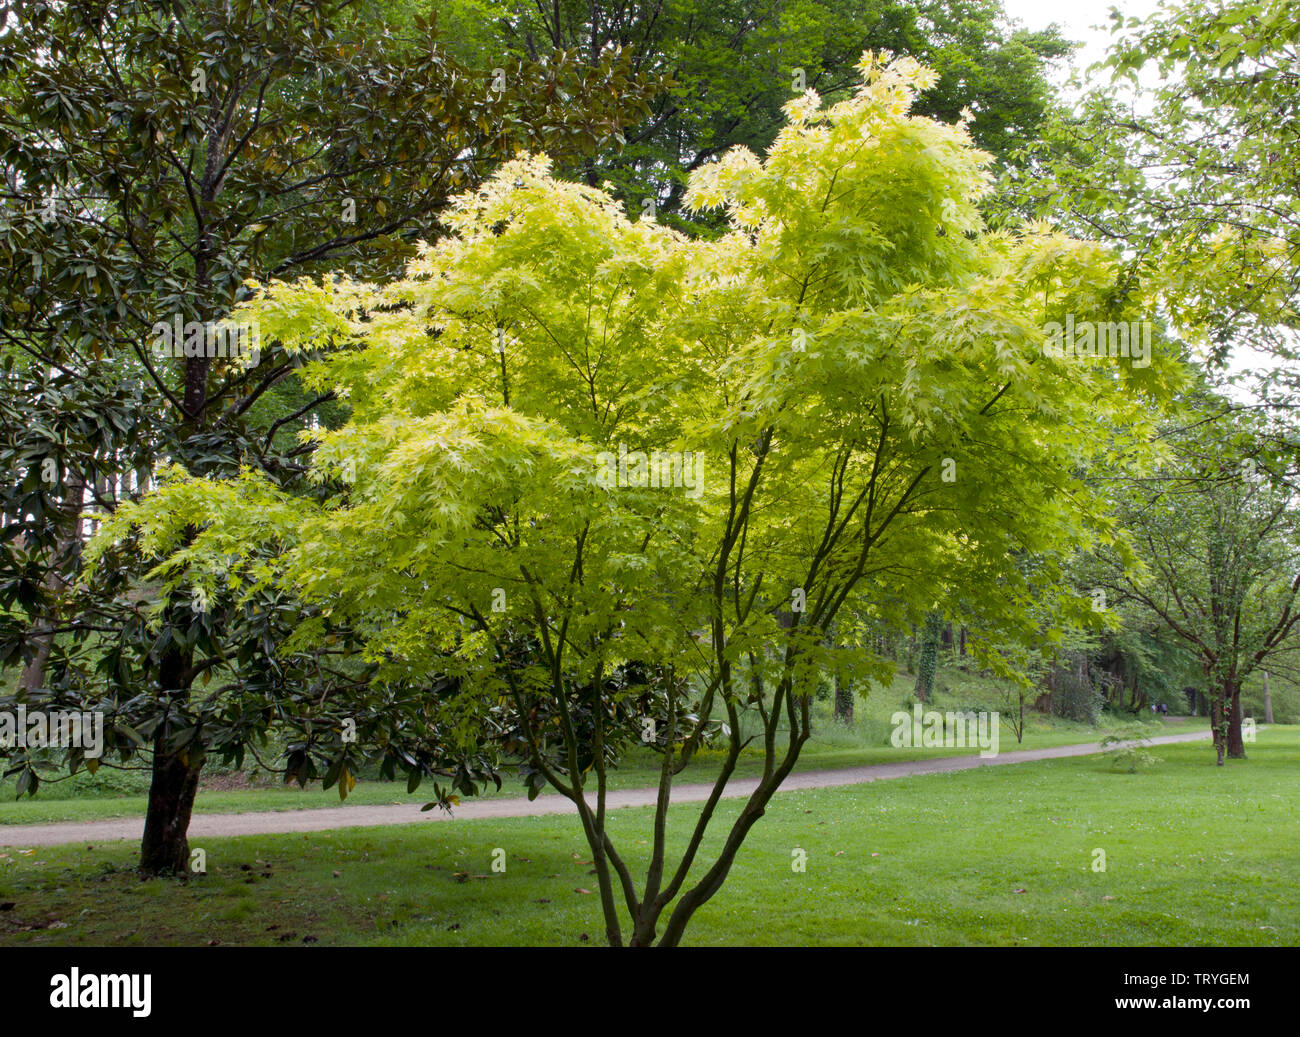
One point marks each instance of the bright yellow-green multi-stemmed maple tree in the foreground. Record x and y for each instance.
(618, 484)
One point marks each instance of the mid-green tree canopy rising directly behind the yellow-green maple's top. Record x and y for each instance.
(735, 66)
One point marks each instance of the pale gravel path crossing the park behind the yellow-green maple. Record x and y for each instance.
(366, 817)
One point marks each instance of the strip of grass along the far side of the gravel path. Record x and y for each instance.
(114, 793)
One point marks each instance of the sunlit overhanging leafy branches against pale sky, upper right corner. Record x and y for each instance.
(1199, 177)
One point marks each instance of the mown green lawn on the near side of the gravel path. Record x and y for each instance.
(1000, 856)
